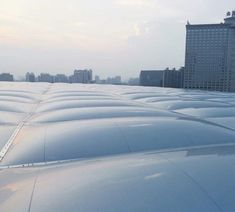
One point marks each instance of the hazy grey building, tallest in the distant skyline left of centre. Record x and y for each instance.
(81, 76)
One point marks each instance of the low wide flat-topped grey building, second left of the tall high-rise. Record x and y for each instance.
(151, 78)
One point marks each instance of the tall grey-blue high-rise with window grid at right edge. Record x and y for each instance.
(210, 55)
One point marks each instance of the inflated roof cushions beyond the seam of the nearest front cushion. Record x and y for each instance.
(54, 122)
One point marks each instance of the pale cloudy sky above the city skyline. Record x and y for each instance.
(112, 37)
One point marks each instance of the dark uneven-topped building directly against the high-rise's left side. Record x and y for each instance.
(173, 78)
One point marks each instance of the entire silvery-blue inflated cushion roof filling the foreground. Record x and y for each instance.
(121, 148)
